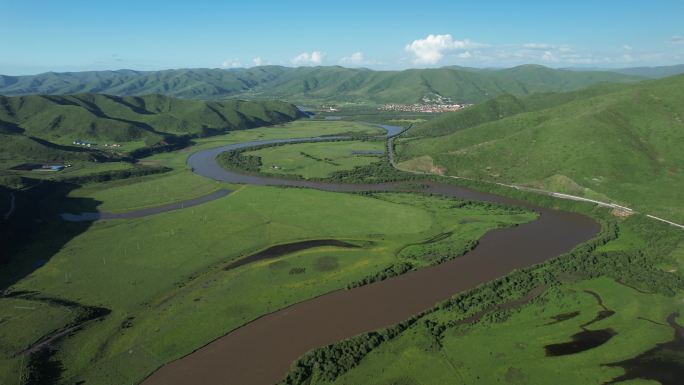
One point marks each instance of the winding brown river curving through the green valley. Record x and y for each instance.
(260, 352)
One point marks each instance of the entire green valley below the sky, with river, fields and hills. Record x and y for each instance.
(217, 240)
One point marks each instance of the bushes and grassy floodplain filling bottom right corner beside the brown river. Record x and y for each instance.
(475, 337)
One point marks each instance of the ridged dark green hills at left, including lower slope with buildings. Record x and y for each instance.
(43, 127)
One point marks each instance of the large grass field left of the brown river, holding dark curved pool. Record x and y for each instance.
(163, 277)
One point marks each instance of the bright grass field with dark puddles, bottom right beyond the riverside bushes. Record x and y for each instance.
(510, 349)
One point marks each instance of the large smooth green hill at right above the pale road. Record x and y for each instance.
(622, 144)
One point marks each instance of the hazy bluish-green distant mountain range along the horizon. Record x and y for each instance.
(316, 84)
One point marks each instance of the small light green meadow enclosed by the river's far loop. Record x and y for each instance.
(318, 160)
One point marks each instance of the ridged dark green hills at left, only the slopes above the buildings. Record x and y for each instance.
(92, 117)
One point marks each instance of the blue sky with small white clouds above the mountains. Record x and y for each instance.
(50, 35)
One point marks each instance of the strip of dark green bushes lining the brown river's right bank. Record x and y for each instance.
(633, 266)
